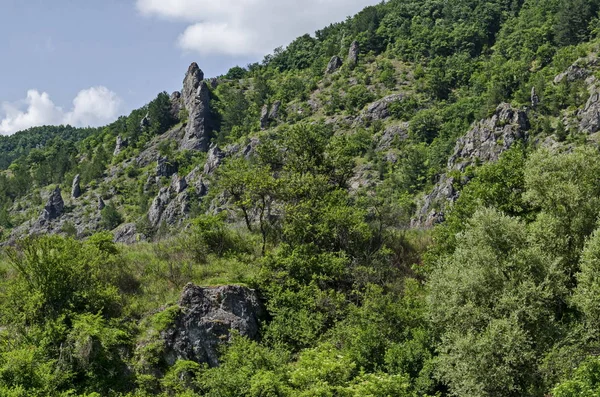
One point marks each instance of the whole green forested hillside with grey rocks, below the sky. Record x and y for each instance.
(402, 204)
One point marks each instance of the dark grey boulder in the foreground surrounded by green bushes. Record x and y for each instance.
(206, 320)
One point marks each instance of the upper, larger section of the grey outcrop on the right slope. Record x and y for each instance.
(490, 137)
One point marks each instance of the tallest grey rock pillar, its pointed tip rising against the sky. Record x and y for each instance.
(196, 99)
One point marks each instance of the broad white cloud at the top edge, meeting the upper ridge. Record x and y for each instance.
(248, 27)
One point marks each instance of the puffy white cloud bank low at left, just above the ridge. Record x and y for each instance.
(92, 107)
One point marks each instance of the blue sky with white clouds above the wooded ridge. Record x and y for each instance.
(84, 62)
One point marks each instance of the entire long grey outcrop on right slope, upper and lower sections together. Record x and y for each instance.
(485, 142)
